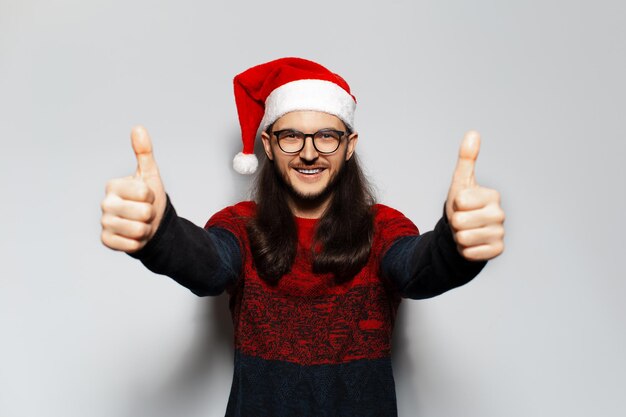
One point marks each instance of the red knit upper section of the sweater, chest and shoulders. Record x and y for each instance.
(306, 318)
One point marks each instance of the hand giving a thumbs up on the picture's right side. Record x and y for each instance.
(474, 212)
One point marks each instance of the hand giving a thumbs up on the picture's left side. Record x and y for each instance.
(134, 206)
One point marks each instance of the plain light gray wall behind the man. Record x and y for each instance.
(86, 331)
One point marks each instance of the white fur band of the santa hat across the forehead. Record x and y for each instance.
(309, 94)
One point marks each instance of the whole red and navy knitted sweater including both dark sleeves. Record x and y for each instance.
(309, 347)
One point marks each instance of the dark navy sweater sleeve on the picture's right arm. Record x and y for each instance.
(426, 265)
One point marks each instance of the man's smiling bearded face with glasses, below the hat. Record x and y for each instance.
(309, 175)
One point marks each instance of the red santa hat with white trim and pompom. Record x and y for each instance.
(268, 91)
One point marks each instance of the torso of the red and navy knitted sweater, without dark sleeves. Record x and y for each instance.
(308, 346)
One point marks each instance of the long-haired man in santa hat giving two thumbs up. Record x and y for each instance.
(314, 268)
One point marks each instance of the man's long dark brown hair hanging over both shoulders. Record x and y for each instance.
(344, 232)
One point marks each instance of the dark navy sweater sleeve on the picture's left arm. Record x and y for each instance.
(207, 261)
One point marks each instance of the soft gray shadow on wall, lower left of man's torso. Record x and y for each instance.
(196, 387)
